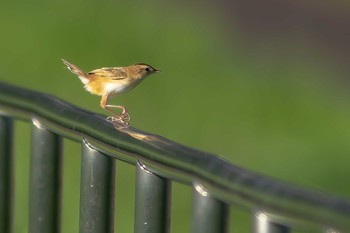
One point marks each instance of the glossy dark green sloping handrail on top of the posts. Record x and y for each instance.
(280, 201)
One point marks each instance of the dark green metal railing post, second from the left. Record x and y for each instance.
(45, 181)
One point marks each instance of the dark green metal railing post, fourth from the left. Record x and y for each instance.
(152, 202)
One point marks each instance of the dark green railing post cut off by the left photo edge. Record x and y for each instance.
(6, 175)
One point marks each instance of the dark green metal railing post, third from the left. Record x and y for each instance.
(96, 191)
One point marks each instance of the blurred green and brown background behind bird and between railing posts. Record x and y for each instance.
(265, 84)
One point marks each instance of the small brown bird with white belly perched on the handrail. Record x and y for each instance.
(108, 82)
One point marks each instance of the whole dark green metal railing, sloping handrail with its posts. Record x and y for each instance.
(275, 206)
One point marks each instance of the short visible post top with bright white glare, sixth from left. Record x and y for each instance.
(262, 224)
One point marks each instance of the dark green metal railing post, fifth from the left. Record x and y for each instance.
(208, 213)
